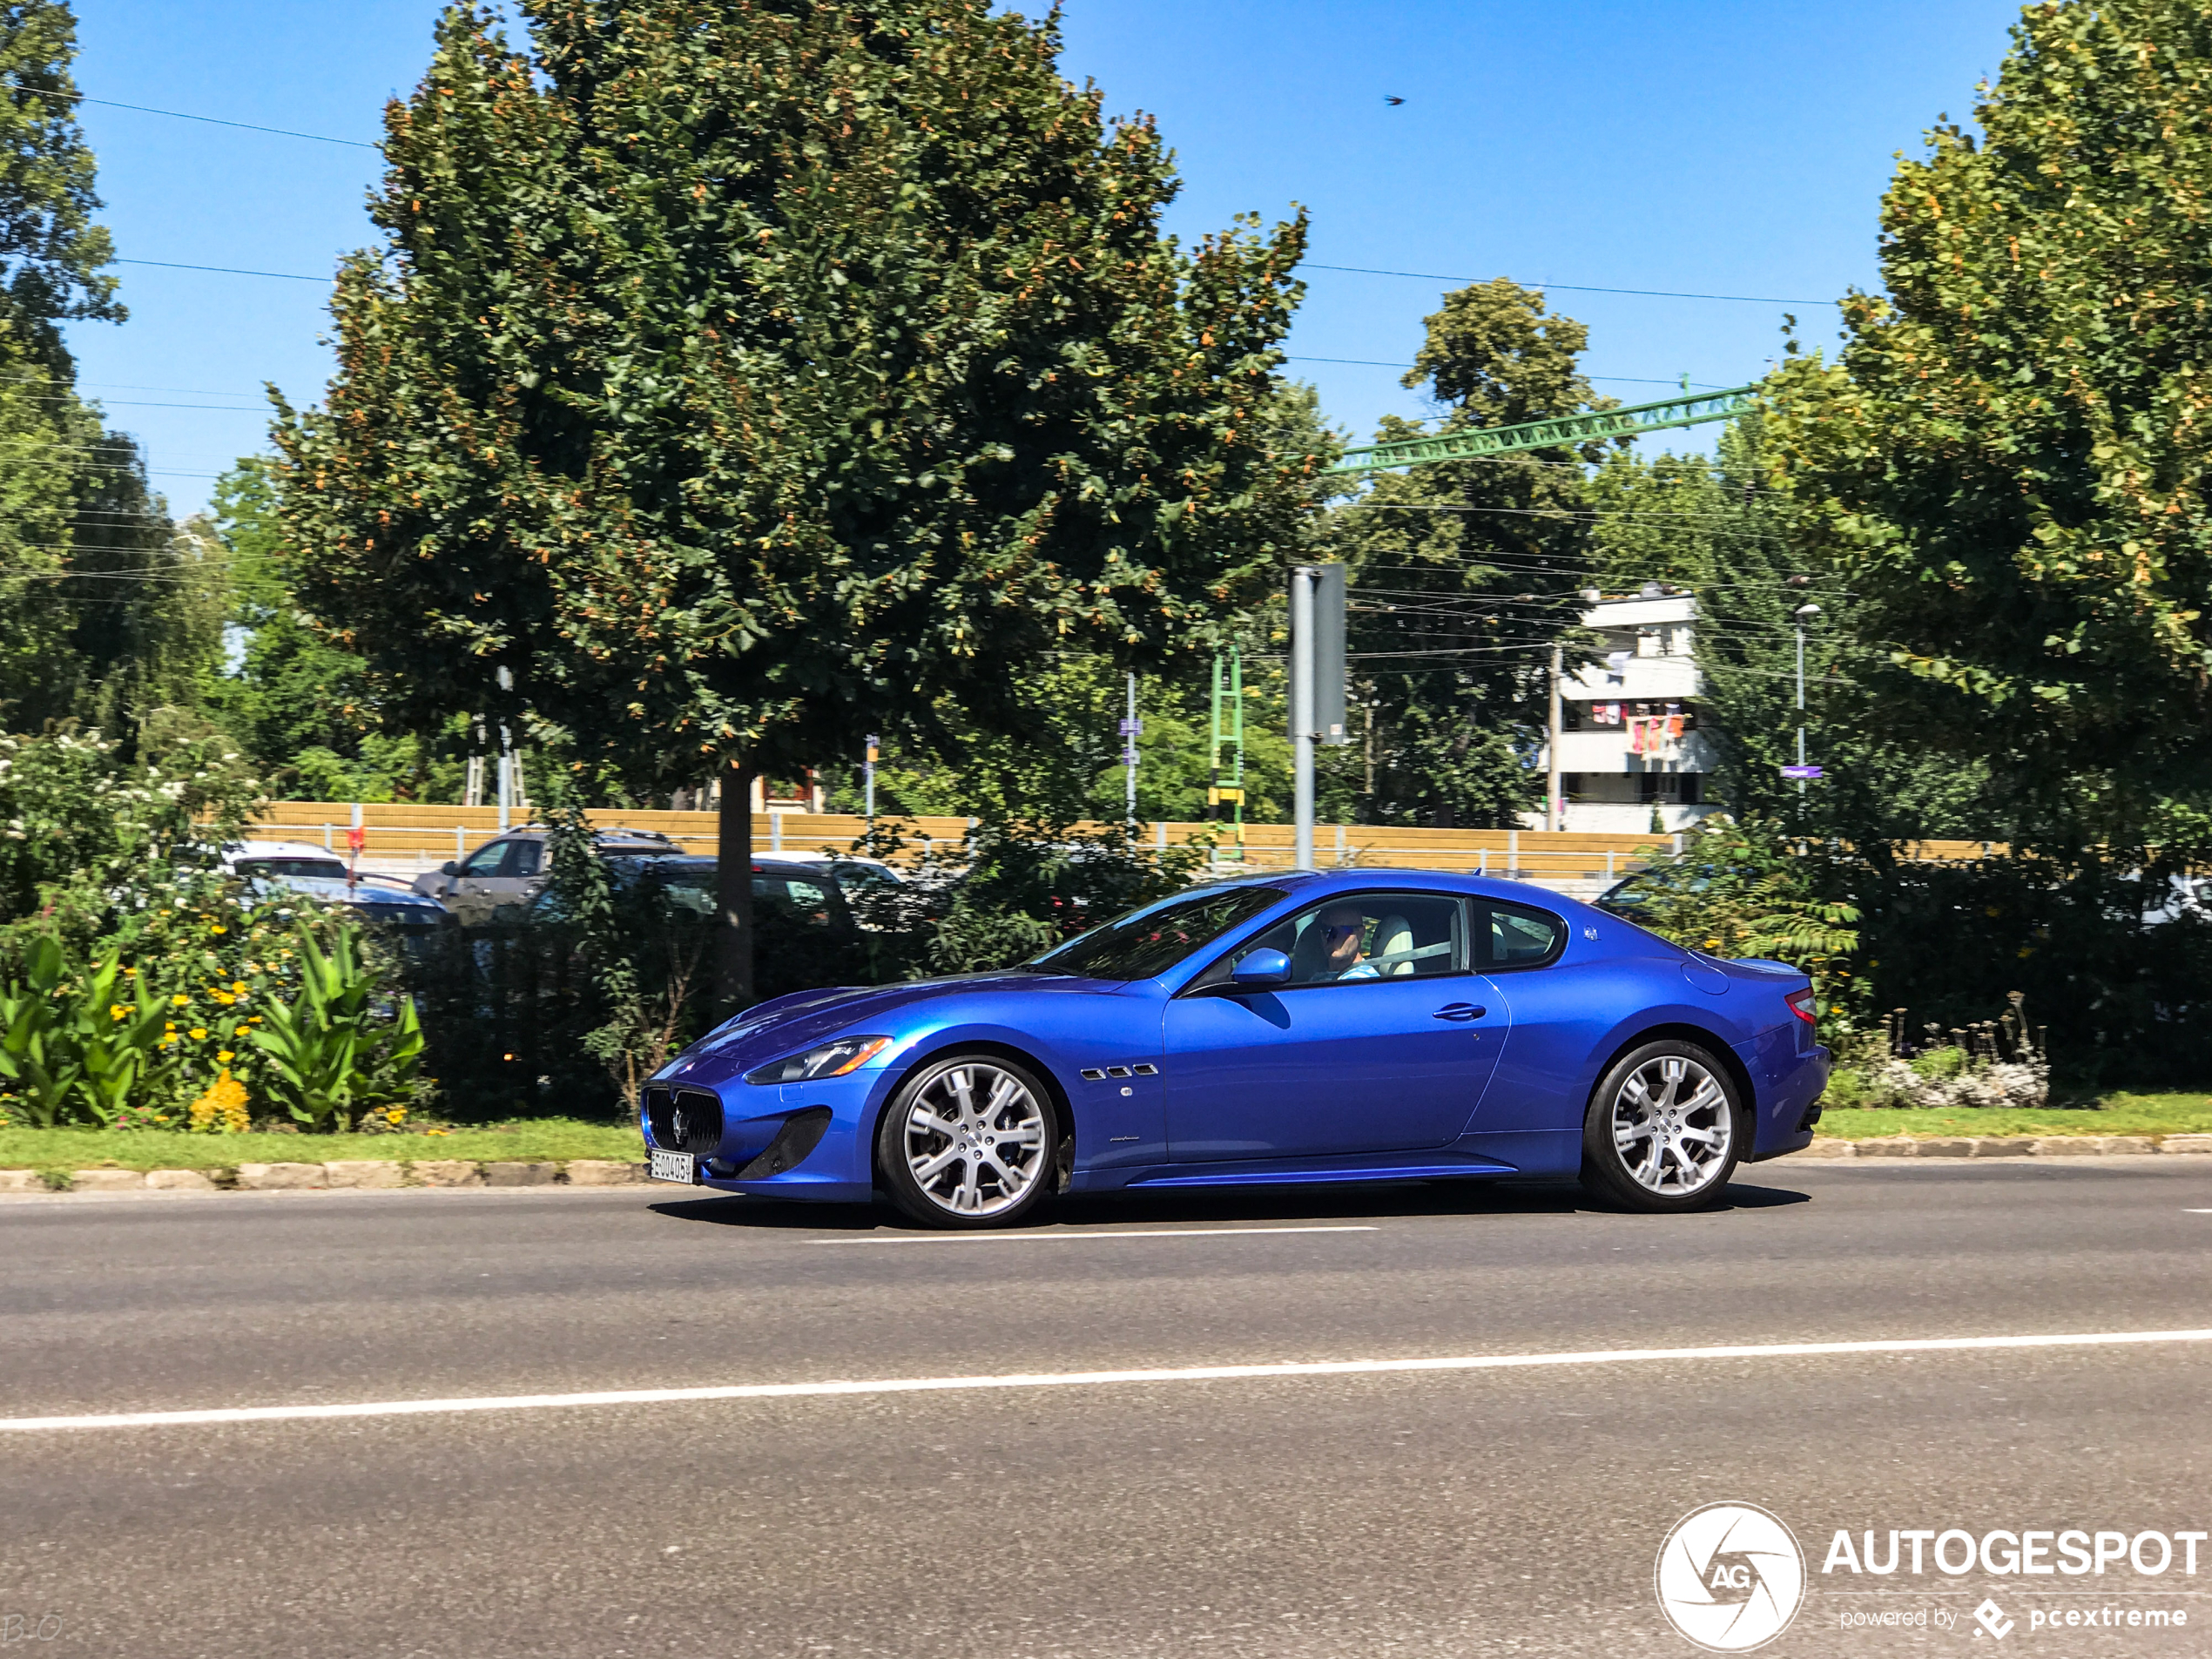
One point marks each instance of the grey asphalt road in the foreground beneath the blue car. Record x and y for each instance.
(1370, 1514)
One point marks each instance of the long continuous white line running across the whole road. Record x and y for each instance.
(1094, 1379)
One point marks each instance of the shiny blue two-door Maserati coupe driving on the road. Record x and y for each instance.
(1353, 1025)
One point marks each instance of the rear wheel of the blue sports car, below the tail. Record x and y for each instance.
(1662, 1131)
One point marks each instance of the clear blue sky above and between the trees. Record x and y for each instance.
(1726, 149)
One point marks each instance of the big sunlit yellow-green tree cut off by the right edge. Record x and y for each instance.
(2010, 457)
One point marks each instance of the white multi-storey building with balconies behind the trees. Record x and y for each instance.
(1634, 742)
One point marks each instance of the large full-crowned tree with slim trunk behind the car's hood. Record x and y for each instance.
(742, 379)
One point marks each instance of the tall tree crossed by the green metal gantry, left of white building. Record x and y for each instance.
(1463, 574)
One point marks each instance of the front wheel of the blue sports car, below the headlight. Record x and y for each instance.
(970, 1142)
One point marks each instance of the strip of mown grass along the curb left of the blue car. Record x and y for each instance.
(530, 1142)
